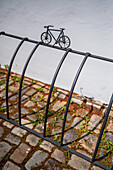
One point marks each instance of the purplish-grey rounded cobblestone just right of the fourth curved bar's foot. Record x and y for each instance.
(70, 136)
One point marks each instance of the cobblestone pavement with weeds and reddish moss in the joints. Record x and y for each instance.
(20, 149)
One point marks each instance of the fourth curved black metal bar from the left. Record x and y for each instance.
(71, 92)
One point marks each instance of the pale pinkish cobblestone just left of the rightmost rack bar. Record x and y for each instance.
(94, 121)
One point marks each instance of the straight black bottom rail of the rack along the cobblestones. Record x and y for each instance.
(56, 143)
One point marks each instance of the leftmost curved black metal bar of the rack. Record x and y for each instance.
(8, 75)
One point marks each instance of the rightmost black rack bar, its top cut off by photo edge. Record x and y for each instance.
(103, 127)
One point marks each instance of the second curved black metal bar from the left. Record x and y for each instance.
(21, 81)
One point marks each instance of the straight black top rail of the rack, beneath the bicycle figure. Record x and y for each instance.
(55, 47)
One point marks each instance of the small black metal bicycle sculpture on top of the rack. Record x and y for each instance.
(62, 40)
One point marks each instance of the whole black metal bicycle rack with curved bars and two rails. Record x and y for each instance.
(67, 51)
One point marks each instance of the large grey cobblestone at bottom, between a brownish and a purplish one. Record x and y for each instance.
(37, 158)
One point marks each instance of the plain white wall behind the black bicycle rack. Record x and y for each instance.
(89, 24)
